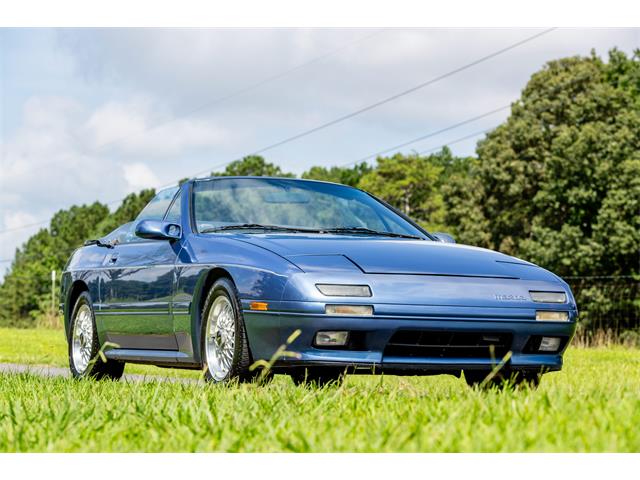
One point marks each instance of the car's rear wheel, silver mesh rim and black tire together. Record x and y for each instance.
(84, 345)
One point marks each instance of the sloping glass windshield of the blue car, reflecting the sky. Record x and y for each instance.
(293, 204)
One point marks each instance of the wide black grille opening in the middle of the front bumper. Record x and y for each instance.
(442, 344)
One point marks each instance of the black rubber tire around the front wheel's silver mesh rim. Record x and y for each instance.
(241, 358)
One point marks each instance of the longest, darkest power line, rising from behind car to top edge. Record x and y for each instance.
(365, 108)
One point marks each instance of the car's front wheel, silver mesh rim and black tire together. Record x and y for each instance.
(225, 349)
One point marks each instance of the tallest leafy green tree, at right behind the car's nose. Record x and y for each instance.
(559, 182)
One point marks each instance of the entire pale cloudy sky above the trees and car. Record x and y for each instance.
(93, 114)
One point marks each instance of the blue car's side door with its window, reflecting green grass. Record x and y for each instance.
(139, 285)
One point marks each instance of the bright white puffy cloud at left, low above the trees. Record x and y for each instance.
(56, 157)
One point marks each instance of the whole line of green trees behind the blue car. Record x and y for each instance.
(558, 184)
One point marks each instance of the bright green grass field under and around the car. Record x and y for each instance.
(593, 405)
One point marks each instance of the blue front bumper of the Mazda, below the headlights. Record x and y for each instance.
(268, 330)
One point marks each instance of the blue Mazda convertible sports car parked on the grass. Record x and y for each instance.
(218, 273)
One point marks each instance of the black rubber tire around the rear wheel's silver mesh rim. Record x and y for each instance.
(97, 368)
